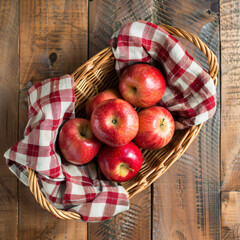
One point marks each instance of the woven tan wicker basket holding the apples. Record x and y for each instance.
(100, 71)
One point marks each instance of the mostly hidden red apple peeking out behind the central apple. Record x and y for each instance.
(100, 97)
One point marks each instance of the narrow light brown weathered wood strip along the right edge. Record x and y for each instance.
(230, 150)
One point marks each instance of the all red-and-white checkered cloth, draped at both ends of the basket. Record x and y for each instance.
(190, 96)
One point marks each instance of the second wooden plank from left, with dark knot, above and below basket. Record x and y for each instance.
(53, 42)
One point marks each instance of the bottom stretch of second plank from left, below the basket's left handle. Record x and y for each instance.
(36, 223)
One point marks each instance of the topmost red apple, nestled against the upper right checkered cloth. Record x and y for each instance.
(142, 85)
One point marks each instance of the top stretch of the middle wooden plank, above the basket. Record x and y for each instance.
(108, 16)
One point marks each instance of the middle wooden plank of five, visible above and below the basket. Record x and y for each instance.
(106, 17)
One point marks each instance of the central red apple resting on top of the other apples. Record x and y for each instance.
(114, 122)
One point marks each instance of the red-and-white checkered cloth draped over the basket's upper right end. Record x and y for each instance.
(190, 95)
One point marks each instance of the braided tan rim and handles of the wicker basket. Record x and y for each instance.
(188, 138)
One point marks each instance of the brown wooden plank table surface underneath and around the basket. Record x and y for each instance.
(199, 196)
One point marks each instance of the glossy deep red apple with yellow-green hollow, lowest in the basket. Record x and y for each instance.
(120, 164)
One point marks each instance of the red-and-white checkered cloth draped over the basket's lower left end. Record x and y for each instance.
(66, 186)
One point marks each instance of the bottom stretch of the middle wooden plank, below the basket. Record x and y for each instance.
(132, 224)
